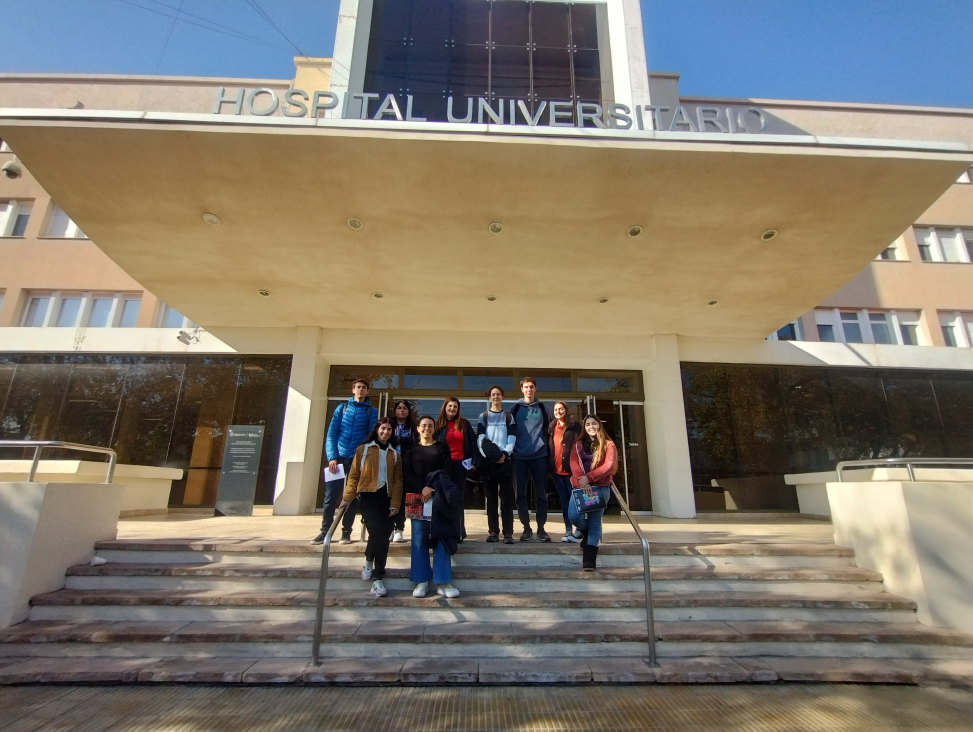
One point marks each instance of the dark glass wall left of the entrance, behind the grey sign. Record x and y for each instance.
(163, 411)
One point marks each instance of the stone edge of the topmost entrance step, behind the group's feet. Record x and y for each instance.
(229, 546)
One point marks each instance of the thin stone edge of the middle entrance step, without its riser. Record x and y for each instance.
(506, 600)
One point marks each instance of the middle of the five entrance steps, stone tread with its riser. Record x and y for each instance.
(159, 605)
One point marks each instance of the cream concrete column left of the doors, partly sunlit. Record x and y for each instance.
(304, 419)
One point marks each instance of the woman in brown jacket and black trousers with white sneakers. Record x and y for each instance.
(375, 477)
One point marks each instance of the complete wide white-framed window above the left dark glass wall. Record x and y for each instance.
(80, 310)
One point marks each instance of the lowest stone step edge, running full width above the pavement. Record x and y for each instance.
(450, 671)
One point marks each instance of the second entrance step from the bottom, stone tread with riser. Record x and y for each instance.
(472, 640)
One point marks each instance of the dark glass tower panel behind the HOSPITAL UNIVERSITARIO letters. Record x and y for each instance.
(496, 49)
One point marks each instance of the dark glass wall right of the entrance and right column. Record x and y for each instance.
(750, 425)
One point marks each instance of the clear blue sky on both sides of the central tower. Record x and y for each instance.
(892, 51)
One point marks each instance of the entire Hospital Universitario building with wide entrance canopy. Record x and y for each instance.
(469, 192)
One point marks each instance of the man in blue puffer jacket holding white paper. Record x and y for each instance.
(350, 424)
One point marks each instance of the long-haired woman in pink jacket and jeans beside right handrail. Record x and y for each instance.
(594, 460)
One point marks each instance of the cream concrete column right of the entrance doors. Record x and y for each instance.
(665, 423)
